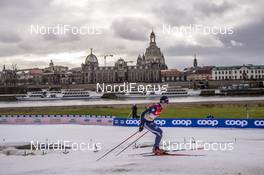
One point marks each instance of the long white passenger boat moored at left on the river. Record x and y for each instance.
(59, 95)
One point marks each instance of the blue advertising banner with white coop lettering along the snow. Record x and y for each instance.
(185, 122)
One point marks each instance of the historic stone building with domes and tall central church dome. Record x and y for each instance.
(147, 69)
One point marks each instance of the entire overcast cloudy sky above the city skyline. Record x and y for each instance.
(122, 28)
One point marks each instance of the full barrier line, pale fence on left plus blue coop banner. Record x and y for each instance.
(114, 121)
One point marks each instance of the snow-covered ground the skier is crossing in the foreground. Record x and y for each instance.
(247, 157)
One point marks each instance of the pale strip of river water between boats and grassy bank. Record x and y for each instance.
(126, 101)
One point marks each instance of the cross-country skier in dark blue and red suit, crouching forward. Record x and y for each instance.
(147, 121)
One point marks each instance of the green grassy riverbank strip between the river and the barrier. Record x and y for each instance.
(219, 109)
